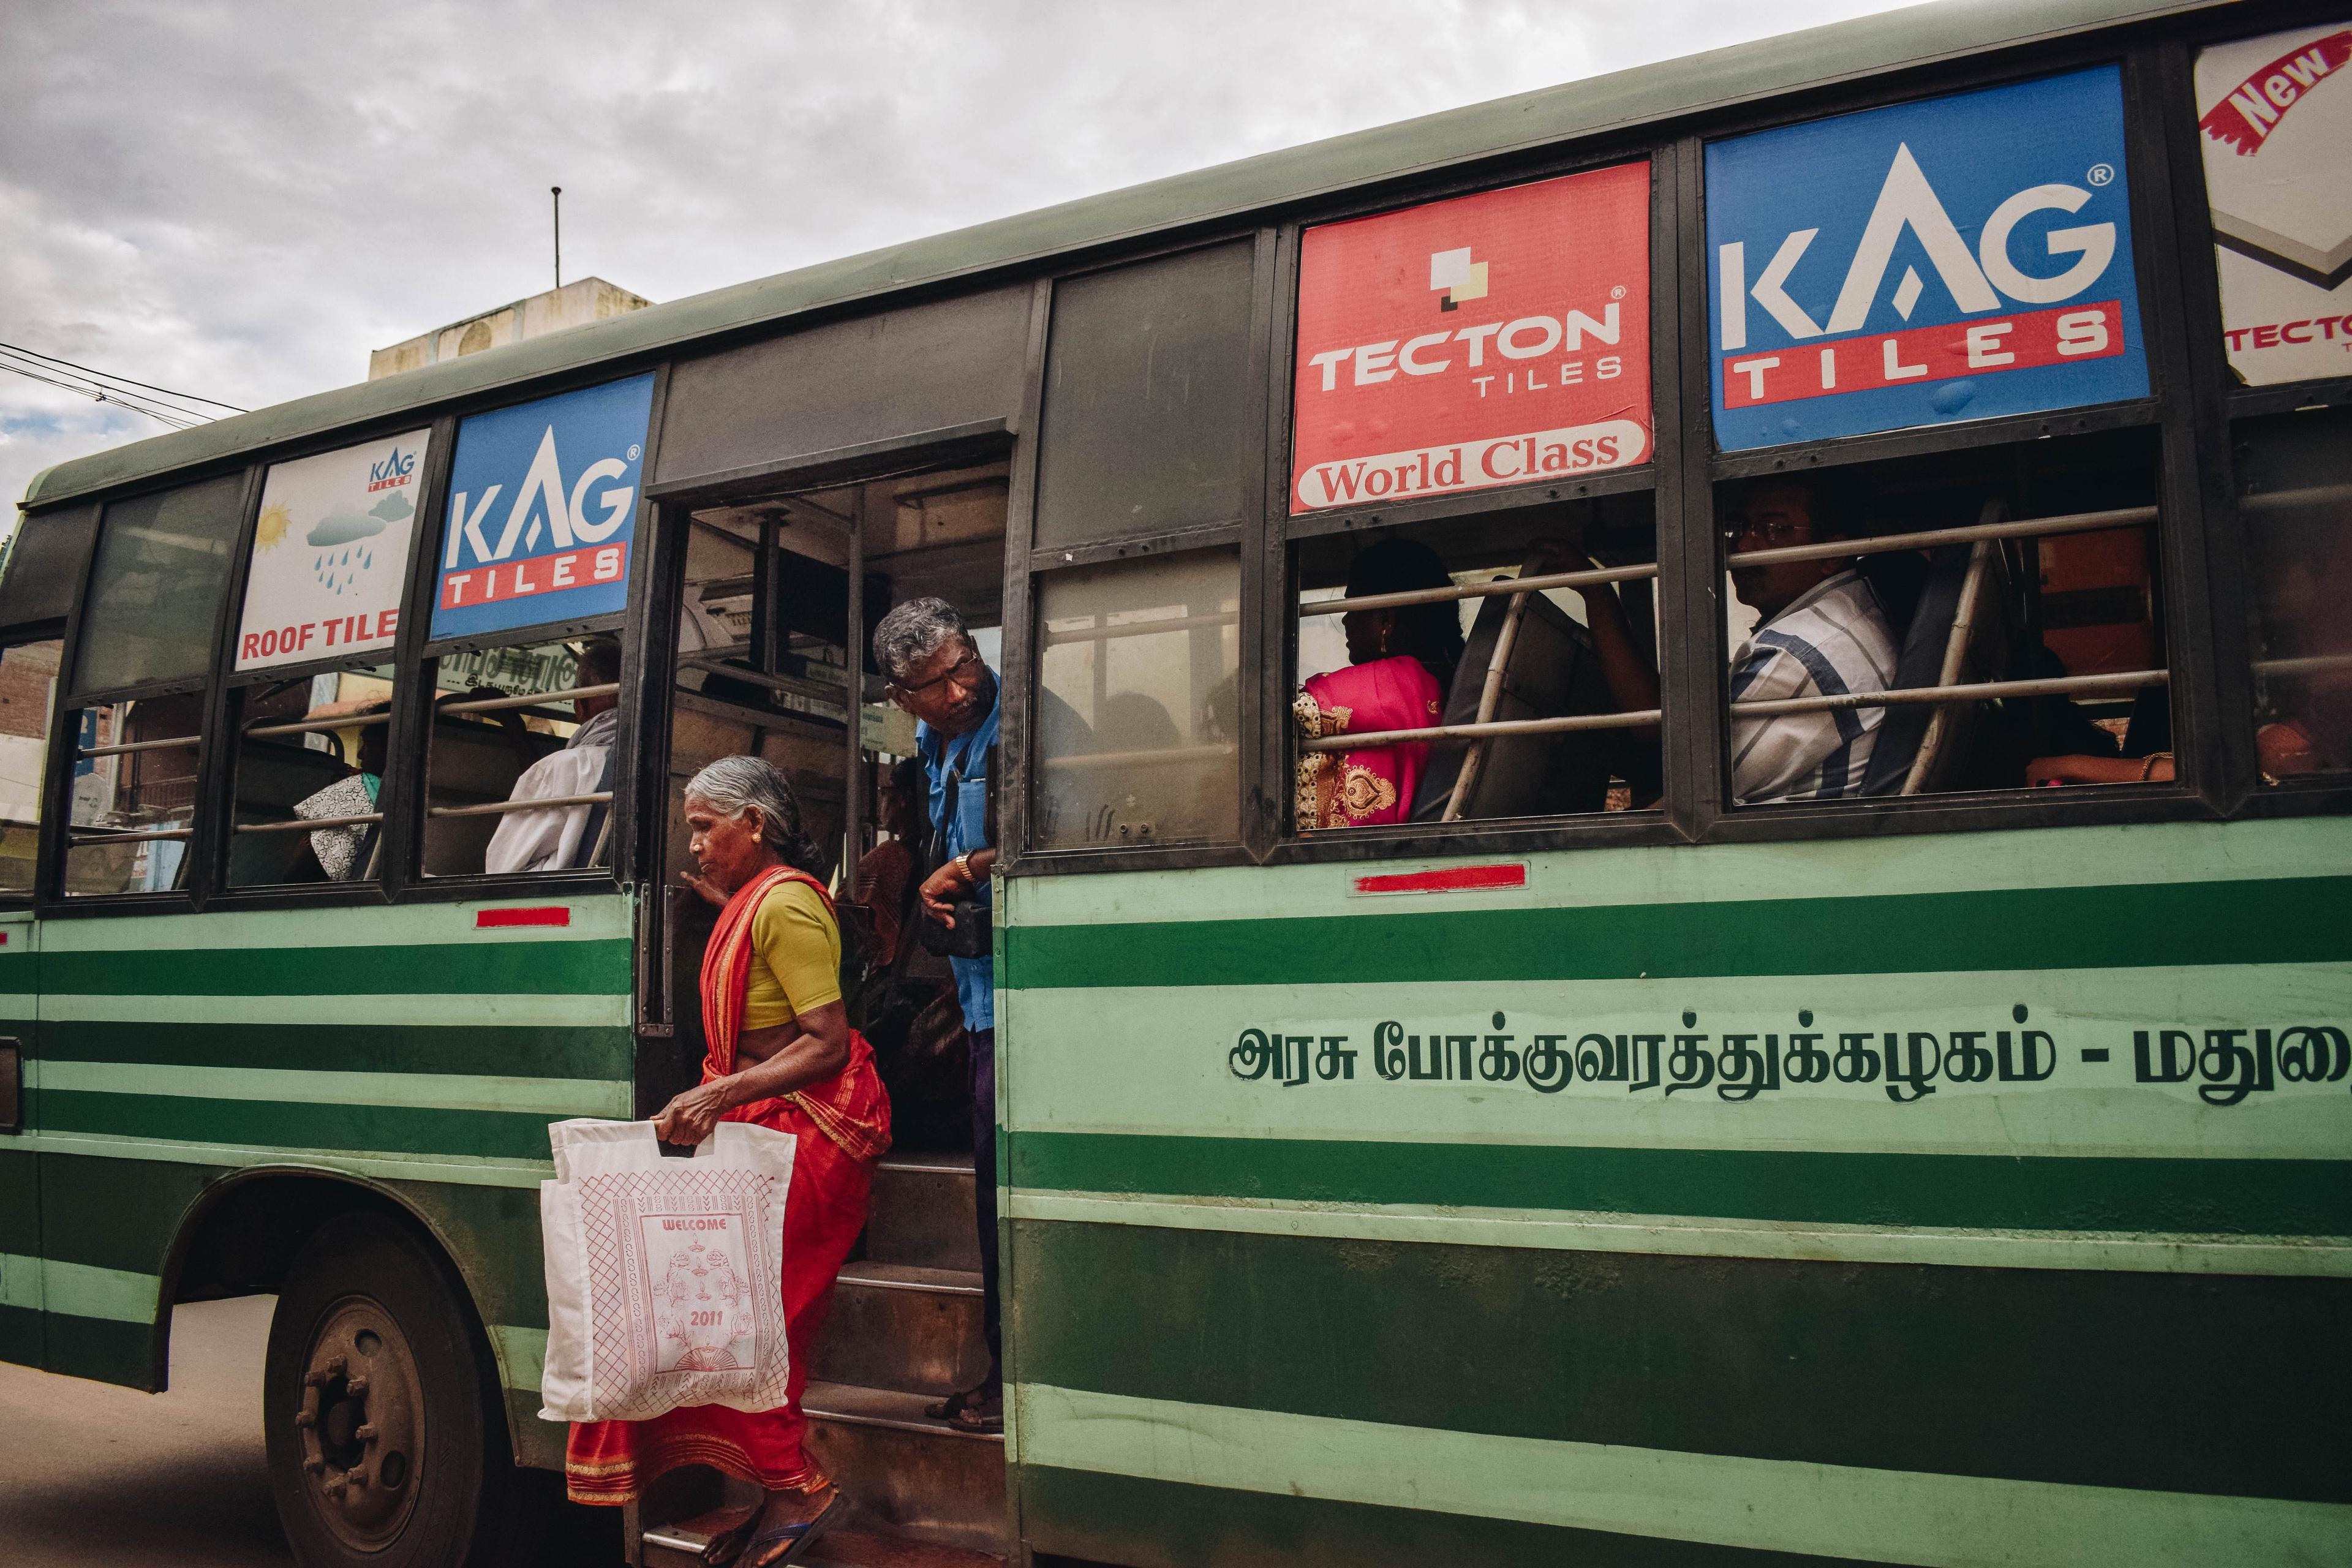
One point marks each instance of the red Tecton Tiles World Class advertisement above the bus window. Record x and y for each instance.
(1488, 340)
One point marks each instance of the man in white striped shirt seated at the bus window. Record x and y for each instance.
(1822, 631)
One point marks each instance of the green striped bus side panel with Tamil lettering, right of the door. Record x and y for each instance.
(1690, 1205)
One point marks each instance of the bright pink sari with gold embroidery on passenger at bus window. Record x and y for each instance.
(1375, 786)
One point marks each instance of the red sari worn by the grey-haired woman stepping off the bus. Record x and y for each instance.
(843, 1127)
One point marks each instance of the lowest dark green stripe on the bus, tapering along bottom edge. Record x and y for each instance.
(1102, 1517)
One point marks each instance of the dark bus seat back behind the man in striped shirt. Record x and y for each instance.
(1960, 634)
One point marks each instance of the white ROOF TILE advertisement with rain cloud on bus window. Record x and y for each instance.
(330, 554)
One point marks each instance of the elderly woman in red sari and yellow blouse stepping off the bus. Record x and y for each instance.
(780, 1054)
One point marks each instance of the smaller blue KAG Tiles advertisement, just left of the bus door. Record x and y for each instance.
(542, 511)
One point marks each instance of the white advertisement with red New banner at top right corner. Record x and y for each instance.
(2278, 130)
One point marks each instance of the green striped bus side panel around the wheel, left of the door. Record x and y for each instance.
(408, 1050)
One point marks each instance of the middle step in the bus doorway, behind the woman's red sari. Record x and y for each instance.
(904, 1327)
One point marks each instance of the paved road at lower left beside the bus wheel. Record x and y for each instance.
(100, 1475)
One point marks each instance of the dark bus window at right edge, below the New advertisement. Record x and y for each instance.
(2294, 514)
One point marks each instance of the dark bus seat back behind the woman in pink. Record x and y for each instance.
(1551, 671)
